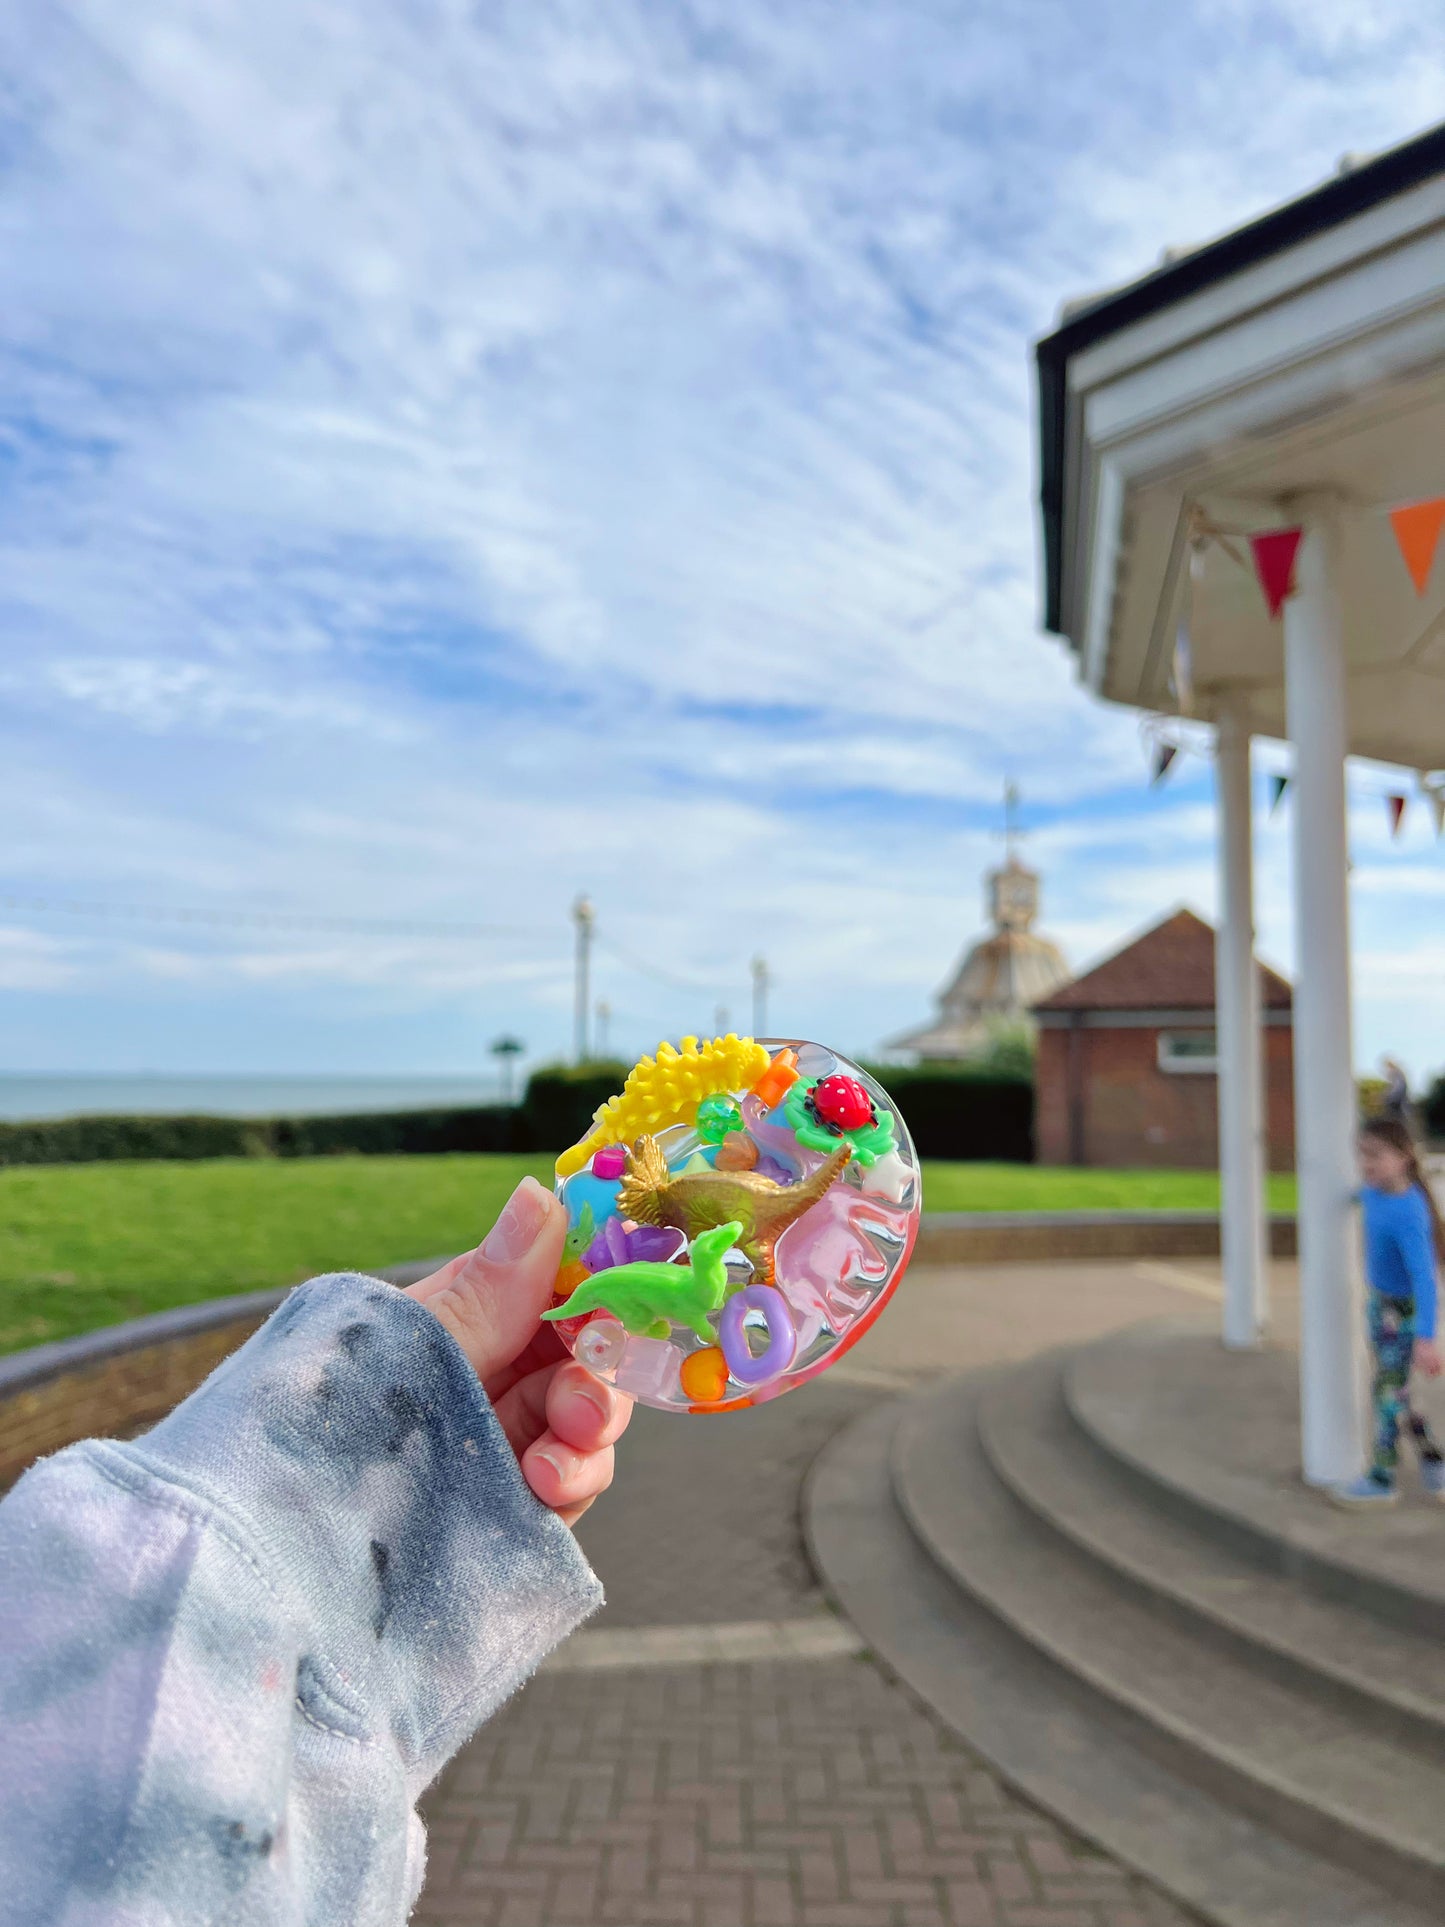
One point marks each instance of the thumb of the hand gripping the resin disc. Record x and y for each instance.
(492, 1298)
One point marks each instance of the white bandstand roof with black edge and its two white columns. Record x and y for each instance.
(1290, 375)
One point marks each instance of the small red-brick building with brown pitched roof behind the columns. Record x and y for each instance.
(1126, 1069)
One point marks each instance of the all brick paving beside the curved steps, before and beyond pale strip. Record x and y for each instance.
(770, 1795)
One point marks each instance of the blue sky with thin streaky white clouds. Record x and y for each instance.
(458, 458)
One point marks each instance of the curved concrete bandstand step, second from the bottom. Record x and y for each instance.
(1248, 1737)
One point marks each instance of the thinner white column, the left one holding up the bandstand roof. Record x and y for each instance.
(1238, 1028)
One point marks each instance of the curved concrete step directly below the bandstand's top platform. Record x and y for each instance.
(1377, 1674)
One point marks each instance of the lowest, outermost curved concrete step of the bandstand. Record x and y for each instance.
(1039, 1729)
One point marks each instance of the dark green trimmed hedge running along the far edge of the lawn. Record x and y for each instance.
(951, 1117)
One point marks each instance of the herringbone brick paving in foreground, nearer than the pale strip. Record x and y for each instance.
(812, 1795)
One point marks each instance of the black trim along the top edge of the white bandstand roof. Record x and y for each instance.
(1325, 207)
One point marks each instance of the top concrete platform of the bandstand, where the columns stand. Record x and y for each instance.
(1213, 1439)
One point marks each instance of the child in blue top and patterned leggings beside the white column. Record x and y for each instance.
(1404, 1238)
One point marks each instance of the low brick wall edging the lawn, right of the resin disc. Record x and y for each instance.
(1041, 1238)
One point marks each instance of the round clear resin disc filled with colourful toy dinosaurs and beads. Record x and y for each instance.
(739, 1215)
